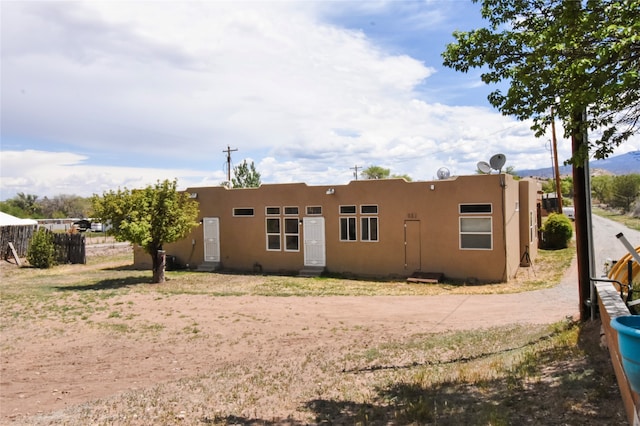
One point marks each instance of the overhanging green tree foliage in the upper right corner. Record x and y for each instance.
(559, 57)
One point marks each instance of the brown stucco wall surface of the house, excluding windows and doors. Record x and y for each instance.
(430, 211)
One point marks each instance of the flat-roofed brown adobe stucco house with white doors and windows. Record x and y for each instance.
(467, 228)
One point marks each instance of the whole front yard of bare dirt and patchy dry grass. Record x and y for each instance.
(98, 344)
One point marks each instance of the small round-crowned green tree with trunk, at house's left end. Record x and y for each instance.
(148, 217)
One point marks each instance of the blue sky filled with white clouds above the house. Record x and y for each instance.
(101, 95)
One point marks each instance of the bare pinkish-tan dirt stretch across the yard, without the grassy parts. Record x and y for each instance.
(49, 365)
